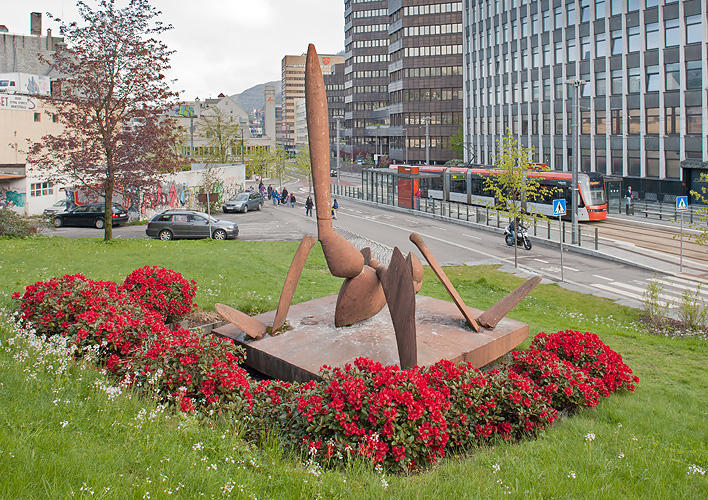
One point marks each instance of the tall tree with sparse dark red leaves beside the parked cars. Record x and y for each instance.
(112, 101)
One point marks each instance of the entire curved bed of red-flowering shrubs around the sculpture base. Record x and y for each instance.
(402, 419)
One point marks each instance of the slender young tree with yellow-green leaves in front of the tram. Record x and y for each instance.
(513, 186)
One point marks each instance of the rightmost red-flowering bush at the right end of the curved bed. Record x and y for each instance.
(591, 355)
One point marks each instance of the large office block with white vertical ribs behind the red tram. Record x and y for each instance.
(643, 109)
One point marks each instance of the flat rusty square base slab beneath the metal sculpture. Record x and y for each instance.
(298, 353)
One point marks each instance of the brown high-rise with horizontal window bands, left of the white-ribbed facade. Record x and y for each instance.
(403, 70)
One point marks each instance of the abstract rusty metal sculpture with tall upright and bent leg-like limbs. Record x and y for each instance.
(368, 285)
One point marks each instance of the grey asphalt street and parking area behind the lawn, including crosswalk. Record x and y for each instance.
(452, 244)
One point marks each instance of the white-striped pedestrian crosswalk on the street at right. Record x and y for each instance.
(670, 289)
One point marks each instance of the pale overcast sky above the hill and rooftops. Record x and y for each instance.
(222, 45)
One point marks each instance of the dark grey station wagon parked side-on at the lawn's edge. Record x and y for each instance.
(188, 224)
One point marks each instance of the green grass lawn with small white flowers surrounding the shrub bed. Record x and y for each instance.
(65, 433)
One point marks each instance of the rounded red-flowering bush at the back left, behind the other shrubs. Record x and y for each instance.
(162, 290)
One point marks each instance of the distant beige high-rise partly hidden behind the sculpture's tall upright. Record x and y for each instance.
(293, 80)
